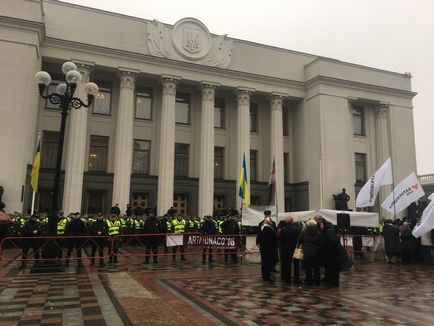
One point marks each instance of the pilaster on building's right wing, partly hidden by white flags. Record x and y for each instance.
(383, 150)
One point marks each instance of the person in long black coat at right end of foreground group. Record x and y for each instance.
(331, 252)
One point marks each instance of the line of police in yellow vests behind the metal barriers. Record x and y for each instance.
(103, 228)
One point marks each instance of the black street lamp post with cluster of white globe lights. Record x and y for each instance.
(64, 97)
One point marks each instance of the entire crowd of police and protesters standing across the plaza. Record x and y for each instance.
(318, 239)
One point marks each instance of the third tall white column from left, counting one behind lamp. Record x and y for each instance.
(167, 145)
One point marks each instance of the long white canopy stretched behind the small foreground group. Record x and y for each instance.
(253, 215)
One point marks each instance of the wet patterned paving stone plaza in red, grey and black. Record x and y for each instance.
(189, 293)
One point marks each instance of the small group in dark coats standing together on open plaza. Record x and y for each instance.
(318, 241)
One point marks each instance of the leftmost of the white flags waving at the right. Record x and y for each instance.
(368, 194)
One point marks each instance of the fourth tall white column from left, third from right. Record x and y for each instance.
(206, 170)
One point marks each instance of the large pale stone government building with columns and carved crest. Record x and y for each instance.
(177, 109)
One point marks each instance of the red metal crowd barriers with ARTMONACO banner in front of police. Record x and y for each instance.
(146, 246)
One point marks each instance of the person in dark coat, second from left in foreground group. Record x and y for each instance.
(288, 236)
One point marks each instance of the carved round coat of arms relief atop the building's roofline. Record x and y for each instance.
(189, 40)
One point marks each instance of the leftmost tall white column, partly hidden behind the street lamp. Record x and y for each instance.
(76, 152)
